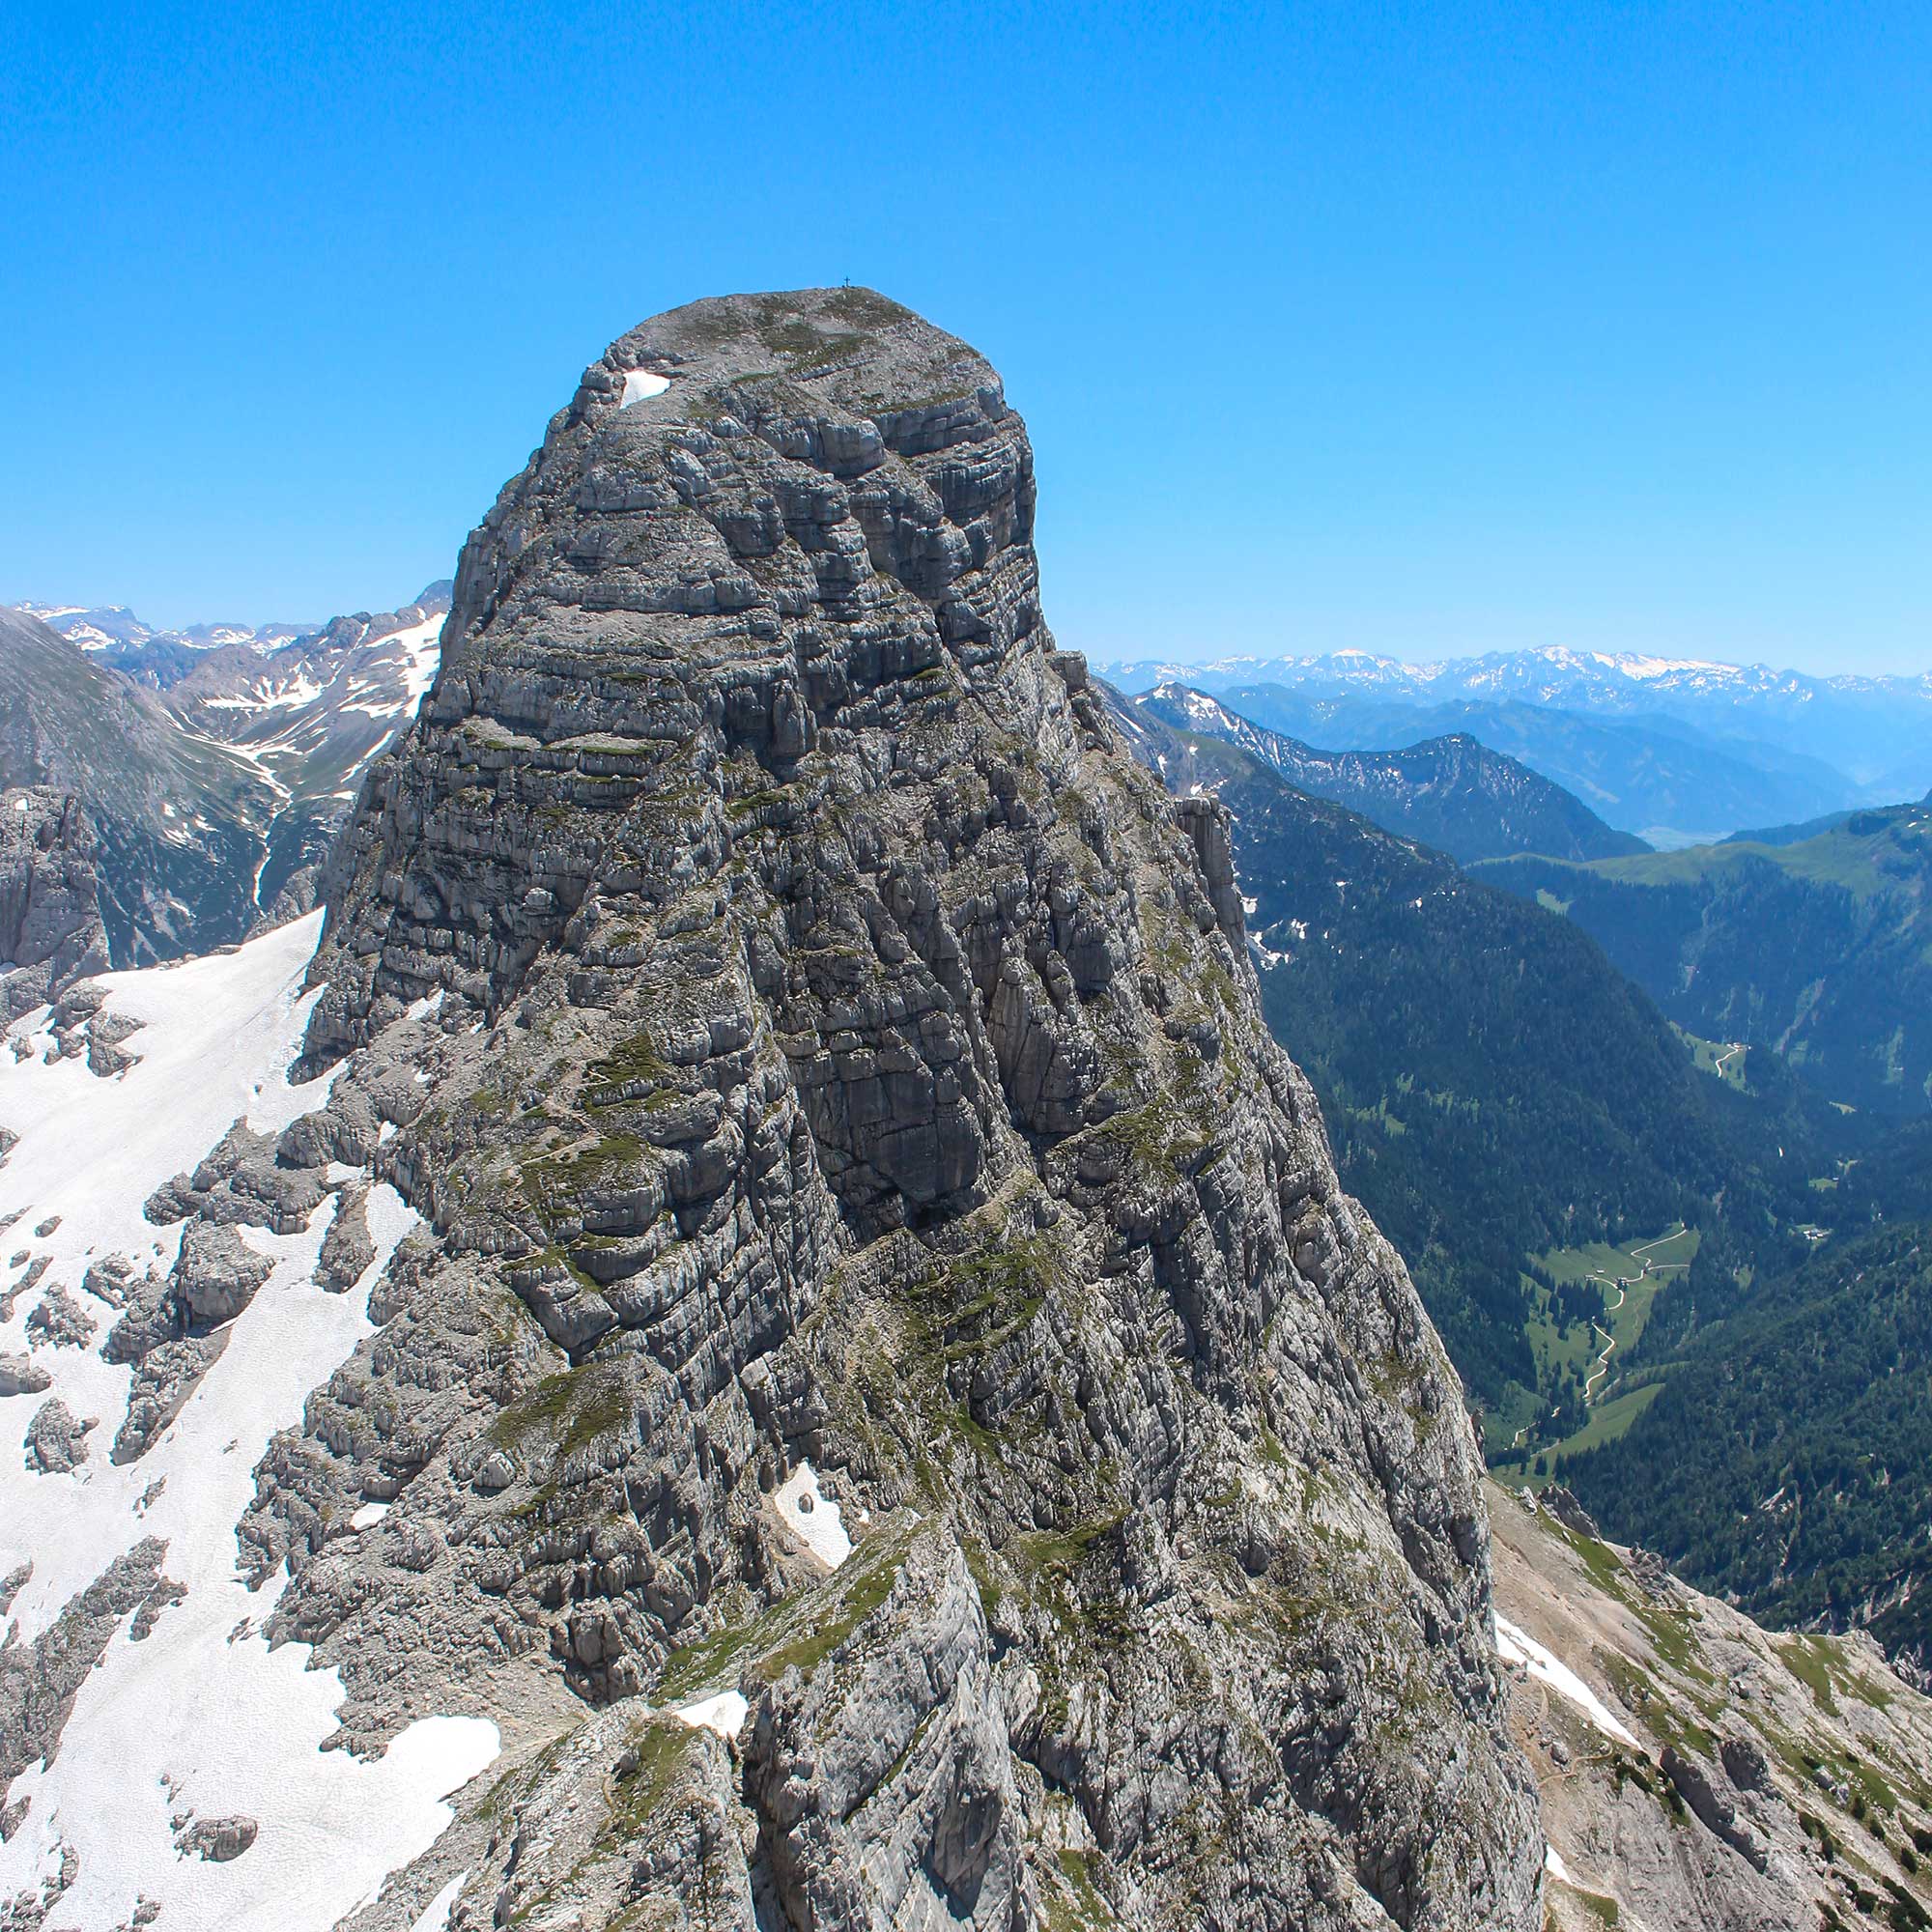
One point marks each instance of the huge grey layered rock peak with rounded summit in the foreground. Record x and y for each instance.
(843, 1079)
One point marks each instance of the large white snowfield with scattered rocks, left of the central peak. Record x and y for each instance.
(200, 1717)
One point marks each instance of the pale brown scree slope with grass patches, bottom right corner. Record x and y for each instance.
(1697, 1771)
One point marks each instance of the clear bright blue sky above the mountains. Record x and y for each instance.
(1423, 329)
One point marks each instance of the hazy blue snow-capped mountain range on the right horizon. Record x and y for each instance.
(1672, 749)
